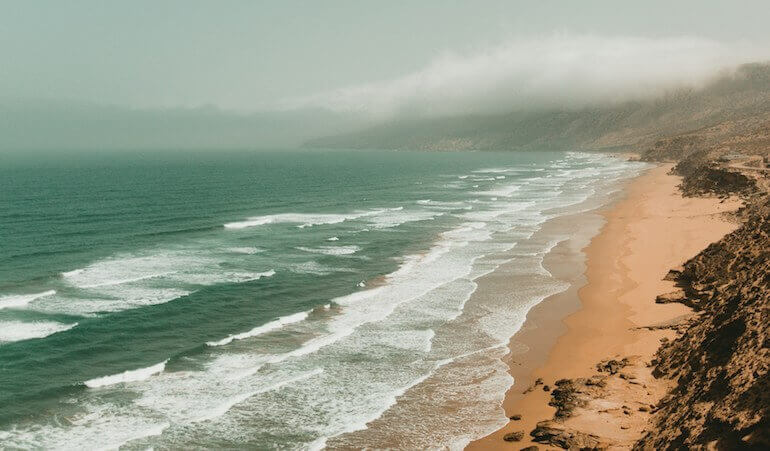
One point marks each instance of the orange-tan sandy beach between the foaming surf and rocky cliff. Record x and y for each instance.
(651, 229)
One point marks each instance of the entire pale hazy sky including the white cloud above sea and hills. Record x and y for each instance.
(98, 74)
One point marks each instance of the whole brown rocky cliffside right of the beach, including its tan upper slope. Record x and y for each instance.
(721, 361)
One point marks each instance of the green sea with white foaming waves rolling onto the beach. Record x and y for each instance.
(275, 299)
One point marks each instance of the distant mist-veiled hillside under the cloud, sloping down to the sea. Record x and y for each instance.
(740, 95)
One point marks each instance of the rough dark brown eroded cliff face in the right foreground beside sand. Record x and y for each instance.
(721, 362)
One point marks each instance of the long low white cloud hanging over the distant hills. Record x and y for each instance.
(559, 71)
